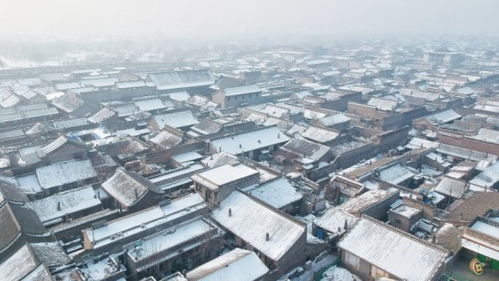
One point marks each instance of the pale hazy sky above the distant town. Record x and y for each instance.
(238, 19)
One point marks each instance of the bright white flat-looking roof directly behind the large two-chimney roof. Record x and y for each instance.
(221, 175)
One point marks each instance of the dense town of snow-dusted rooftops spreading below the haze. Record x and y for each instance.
(261, 165)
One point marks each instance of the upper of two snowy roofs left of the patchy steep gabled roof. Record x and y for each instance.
(65, 172)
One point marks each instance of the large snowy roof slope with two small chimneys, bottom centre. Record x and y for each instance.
(251, 221)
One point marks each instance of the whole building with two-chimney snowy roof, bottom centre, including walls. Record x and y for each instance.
(279, 240)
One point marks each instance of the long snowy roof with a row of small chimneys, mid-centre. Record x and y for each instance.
(250, 141)
